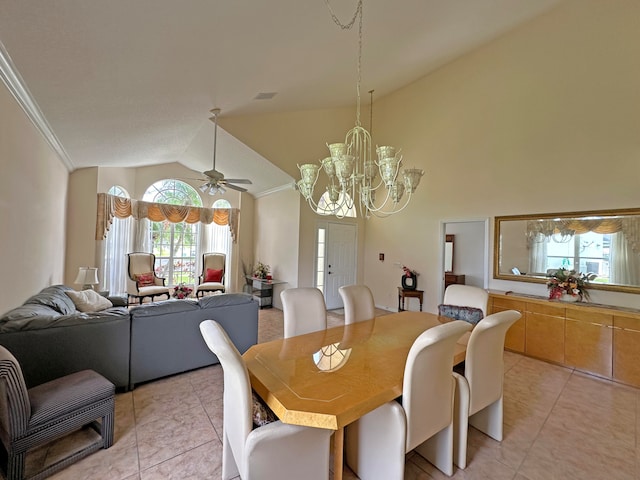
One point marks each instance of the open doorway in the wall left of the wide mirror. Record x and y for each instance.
(470, 251)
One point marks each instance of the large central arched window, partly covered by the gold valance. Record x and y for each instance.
(175, 245)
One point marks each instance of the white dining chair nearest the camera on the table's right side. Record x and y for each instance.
(421, 420)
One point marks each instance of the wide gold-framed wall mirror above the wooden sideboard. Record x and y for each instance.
(607, 243)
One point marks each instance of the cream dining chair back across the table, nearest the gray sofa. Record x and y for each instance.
(304, 311)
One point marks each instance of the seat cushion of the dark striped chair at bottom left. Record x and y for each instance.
(67, 394)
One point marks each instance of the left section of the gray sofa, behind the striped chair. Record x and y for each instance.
(50, 338)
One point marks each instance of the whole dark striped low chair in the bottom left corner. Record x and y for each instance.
(39, 415)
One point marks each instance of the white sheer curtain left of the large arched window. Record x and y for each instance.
(116, 247)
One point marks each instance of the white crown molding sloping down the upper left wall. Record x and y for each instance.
(12, 79)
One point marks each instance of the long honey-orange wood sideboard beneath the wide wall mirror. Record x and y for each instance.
(597, 339)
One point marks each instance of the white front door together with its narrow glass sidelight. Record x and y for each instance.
(336, 260)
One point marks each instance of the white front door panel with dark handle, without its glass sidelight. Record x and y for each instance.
(340, 268)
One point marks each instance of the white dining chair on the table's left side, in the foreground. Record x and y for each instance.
(271, 452)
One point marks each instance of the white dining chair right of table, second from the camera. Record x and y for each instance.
(478, 399)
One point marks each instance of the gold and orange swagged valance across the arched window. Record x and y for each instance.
(110, 206)
